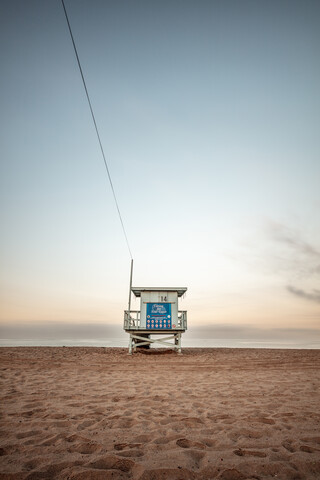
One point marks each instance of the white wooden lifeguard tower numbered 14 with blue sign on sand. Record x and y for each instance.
(158, 315)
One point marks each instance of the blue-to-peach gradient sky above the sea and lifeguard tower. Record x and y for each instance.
(209, 115)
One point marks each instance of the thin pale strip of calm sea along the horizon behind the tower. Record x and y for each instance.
(187, 343)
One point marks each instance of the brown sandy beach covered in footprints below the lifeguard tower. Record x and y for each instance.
(94, 413)
